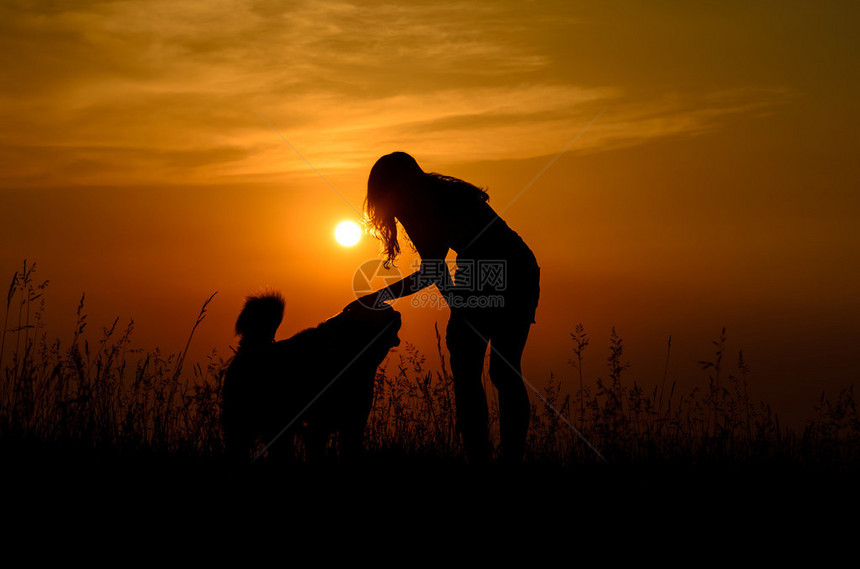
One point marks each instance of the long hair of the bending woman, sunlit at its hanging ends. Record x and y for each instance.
(392, 179)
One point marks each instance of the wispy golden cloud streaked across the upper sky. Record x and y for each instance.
(108, 92)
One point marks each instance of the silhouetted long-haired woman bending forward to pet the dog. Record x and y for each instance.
(493, 296)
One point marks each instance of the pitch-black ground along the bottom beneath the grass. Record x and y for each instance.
(107, 509)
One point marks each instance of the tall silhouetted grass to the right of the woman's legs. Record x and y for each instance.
(715, 422)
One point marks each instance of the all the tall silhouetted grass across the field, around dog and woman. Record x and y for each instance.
(102, 393)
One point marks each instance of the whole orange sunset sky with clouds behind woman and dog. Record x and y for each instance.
(716, 187)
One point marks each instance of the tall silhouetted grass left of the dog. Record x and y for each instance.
(101, 393)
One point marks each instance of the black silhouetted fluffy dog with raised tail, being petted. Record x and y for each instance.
(315, 384)
